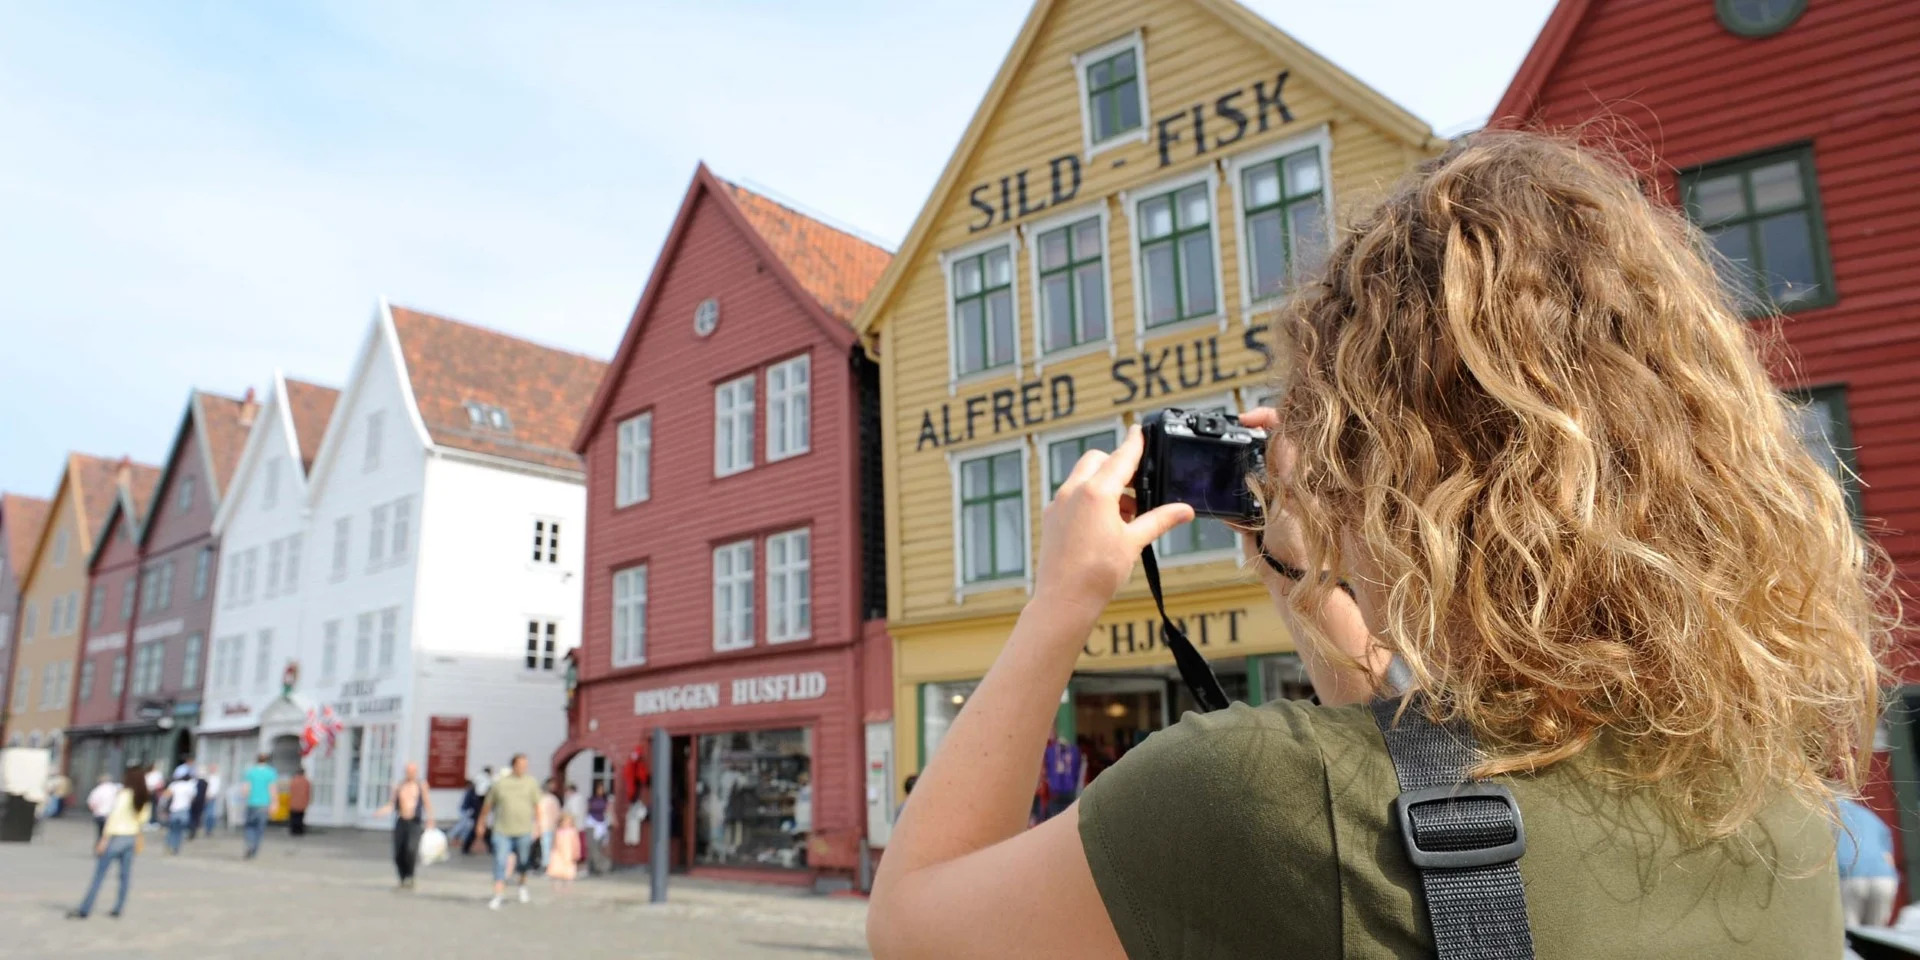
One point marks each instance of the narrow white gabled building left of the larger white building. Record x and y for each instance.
(262, 510)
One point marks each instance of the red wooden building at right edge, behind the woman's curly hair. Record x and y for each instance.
(1788, 130)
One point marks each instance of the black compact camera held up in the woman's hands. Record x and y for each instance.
(1201, 460)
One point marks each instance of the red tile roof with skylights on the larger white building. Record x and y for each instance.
(544, 393)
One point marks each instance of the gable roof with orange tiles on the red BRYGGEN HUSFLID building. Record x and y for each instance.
(828, 272)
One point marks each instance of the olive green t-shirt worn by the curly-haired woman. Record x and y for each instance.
(1268, 832)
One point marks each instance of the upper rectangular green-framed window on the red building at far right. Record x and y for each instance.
(1764, 216)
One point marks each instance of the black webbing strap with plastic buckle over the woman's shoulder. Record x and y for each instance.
(1477, 913)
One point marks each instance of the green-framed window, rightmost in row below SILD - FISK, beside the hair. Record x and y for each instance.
(1285, 210)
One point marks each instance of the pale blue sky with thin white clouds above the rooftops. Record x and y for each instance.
(197, 193)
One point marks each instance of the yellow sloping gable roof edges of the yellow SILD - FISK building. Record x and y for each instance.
(1301, 60)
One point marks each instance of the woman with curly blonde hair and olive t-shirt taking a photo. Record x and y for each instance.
(1527, 454)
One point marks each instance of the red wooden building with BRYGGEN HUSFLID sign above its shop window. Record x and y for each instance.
(731, 592)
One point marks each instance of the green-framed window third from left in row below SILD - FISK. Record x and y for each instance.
(1178, 256)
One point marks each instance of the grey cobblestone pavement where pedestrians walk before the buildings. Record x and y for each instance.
(333, 896)
